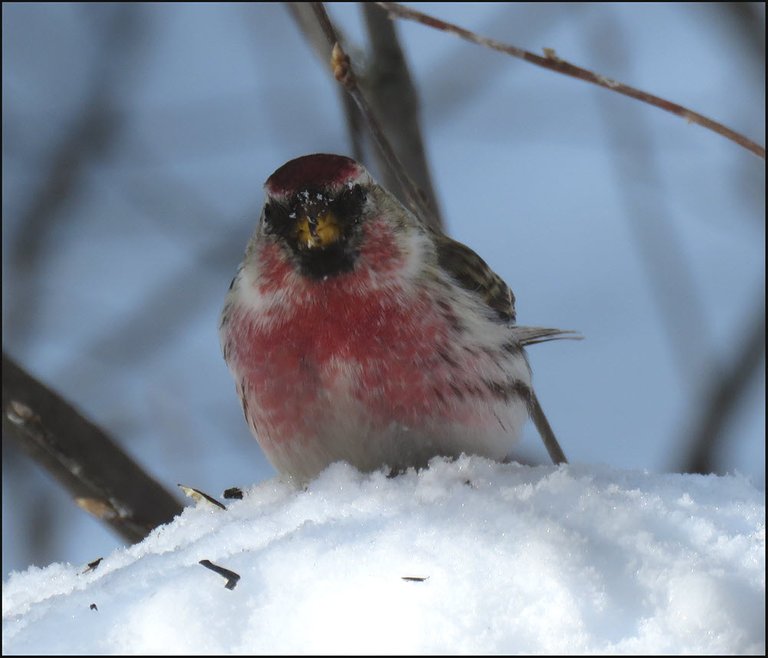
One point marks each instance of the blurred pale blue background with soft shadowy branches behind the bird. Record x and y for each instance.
(136, 139)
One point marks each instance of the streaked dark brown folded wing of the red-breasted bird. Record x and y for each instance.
(474, 274)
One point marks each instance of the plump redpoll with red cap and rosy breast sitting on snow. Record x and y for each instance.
(355, 332)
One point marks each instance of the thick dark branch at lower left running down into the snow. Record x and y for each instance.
(101, 478)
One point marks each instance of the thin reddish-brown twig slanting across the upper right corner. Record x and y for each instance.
(552, 62)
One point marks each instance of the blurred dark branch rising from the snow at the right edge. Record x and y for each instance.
(726, 389)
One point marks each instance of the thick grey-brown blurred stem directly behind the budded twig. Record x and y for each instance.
(391, 92)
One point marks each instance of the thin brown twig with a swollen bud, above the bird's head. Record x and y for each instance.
(342, 71)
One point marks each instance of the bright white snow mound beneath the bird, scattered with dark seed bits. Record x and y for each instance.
(515, 559)
